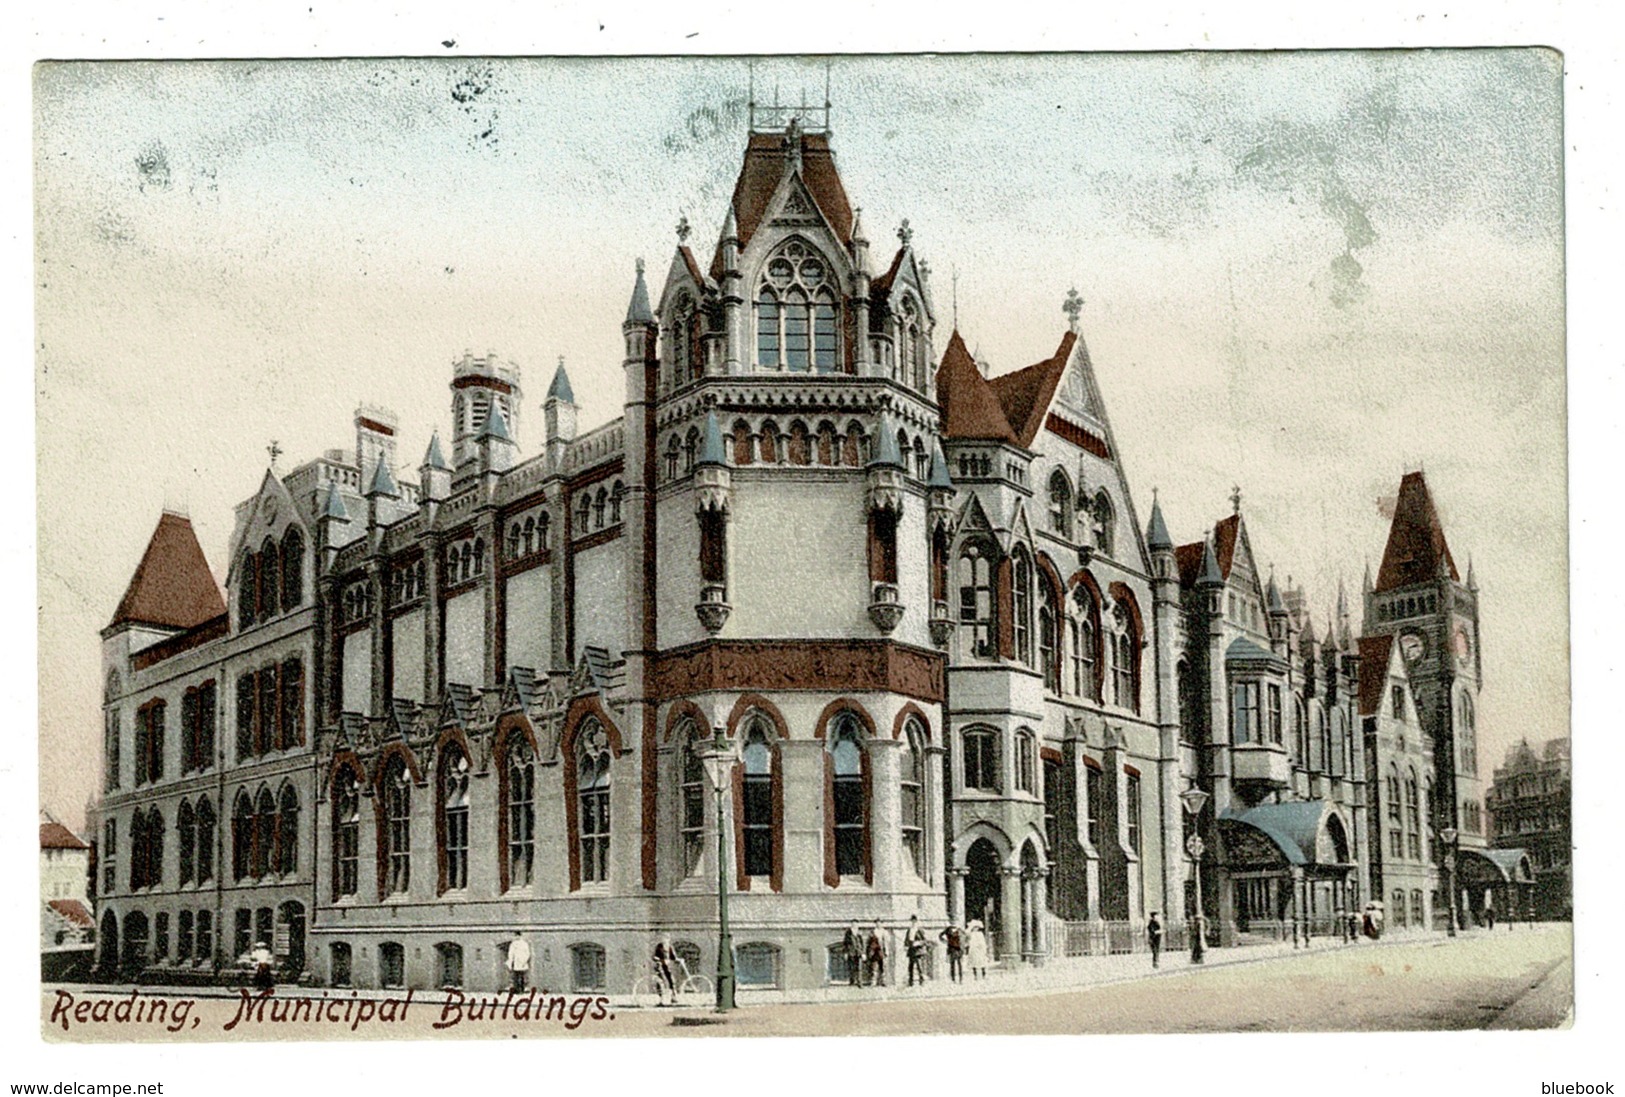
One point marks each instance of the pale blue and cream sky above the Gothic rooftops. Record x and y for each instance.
(1306, 274)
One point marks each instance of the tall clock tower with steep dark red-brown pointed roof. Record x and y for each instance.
(1421, 601)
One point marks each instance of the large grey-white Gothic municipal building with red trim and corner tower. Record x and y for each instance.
(961, 677)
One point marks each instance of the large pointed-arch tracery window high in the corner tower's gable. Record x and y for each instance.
(797, 314)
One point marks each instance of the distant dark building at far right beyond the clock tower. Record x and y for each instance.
(1530, 810)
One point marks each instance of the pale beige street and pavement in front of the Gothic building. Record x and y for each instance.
(1520, 979)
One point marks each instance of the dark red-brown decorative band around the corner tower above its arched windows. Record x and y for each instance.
(826, 666)
